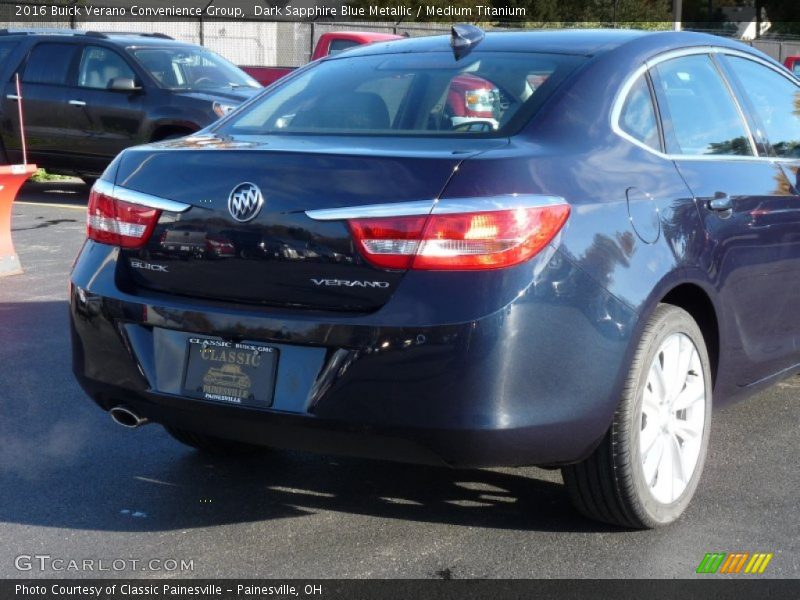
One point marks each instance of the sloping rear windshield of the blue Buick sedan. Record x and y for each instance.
(483, 94)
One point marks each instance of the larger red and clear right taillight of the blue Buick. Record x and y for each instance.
(459, 241)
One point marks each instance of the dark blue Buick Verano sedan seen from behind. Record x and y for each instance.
(342, 265)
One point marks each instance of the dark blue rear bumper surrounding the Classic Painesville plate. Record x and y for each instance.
(533, 381)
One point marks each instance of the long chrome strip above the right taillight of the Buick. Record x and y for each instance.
(437, 207)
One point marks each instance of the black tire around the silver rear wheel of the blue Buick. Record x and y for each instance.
(610, 485)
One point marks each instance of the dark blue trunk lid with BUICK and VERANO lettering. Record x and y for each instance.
(281, 256)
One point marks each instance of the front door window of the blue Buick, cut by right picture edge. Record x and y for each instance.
(776, 102)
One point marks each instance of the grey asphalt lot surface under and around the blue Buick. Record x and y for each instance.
(75, 486)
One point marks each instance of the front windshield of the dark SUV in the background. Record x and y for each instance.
(189, 68)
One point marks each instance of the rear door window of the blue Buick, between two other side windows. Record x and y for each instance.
(702, 114)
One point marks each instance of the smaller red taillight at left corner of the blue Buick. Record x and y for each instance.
(113, 221)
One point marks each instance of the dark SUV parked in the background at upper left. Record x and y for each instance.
(88, 95)
